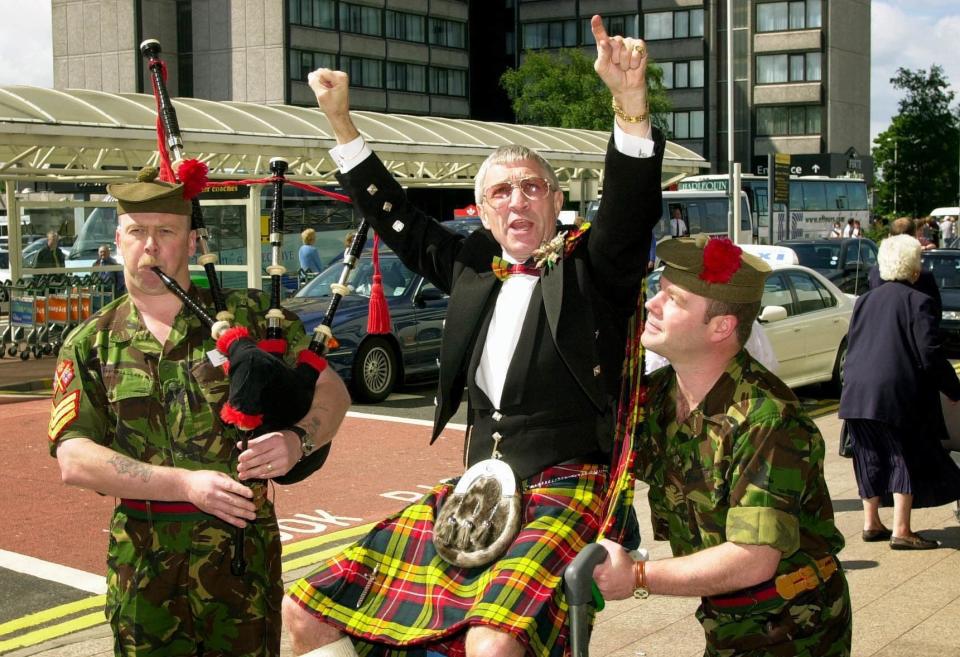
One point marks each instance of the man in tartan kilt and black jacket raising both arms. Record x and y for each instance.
(539, 351)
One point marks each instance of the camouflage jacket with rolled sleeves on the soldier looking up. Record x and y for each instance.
(746, 466)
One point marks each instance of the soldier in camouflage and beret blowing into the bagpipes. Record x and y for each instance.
(136, 416)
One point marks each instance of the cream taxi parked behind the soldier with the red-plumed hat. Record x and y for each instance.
(806, 318)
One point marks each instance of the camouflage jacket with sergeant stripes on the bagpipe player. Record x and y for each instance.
(118, 386)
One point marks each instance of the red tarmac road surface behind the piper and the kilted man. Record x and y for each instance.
(374, 468)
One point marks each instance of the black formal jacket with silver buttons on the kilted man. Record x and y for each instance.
(588, 297)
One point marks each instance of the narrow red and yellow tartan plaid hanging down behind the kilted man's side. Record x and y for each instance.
(630, 414)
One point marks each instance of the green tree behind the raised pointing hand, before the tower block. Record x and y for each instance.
(562, 90)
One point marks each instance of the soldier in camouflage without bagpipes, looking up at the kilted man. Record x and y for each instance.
(735, 469)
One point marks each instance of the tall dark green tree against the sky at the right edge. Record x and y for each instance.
(918, 153)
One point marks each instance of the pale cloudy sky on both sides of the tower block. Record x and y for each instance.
(910, 33)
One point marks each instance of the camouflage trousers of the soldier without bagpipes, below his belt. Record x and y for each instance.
(817, 623)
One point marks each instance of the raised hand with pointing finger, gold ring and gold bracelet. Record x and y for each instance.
(622, 65)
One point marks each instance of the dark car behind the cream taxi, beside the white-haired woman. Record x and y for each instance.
(845, 262)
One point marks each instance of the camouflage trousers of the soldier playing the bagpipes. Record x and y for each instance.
(170, 591)
